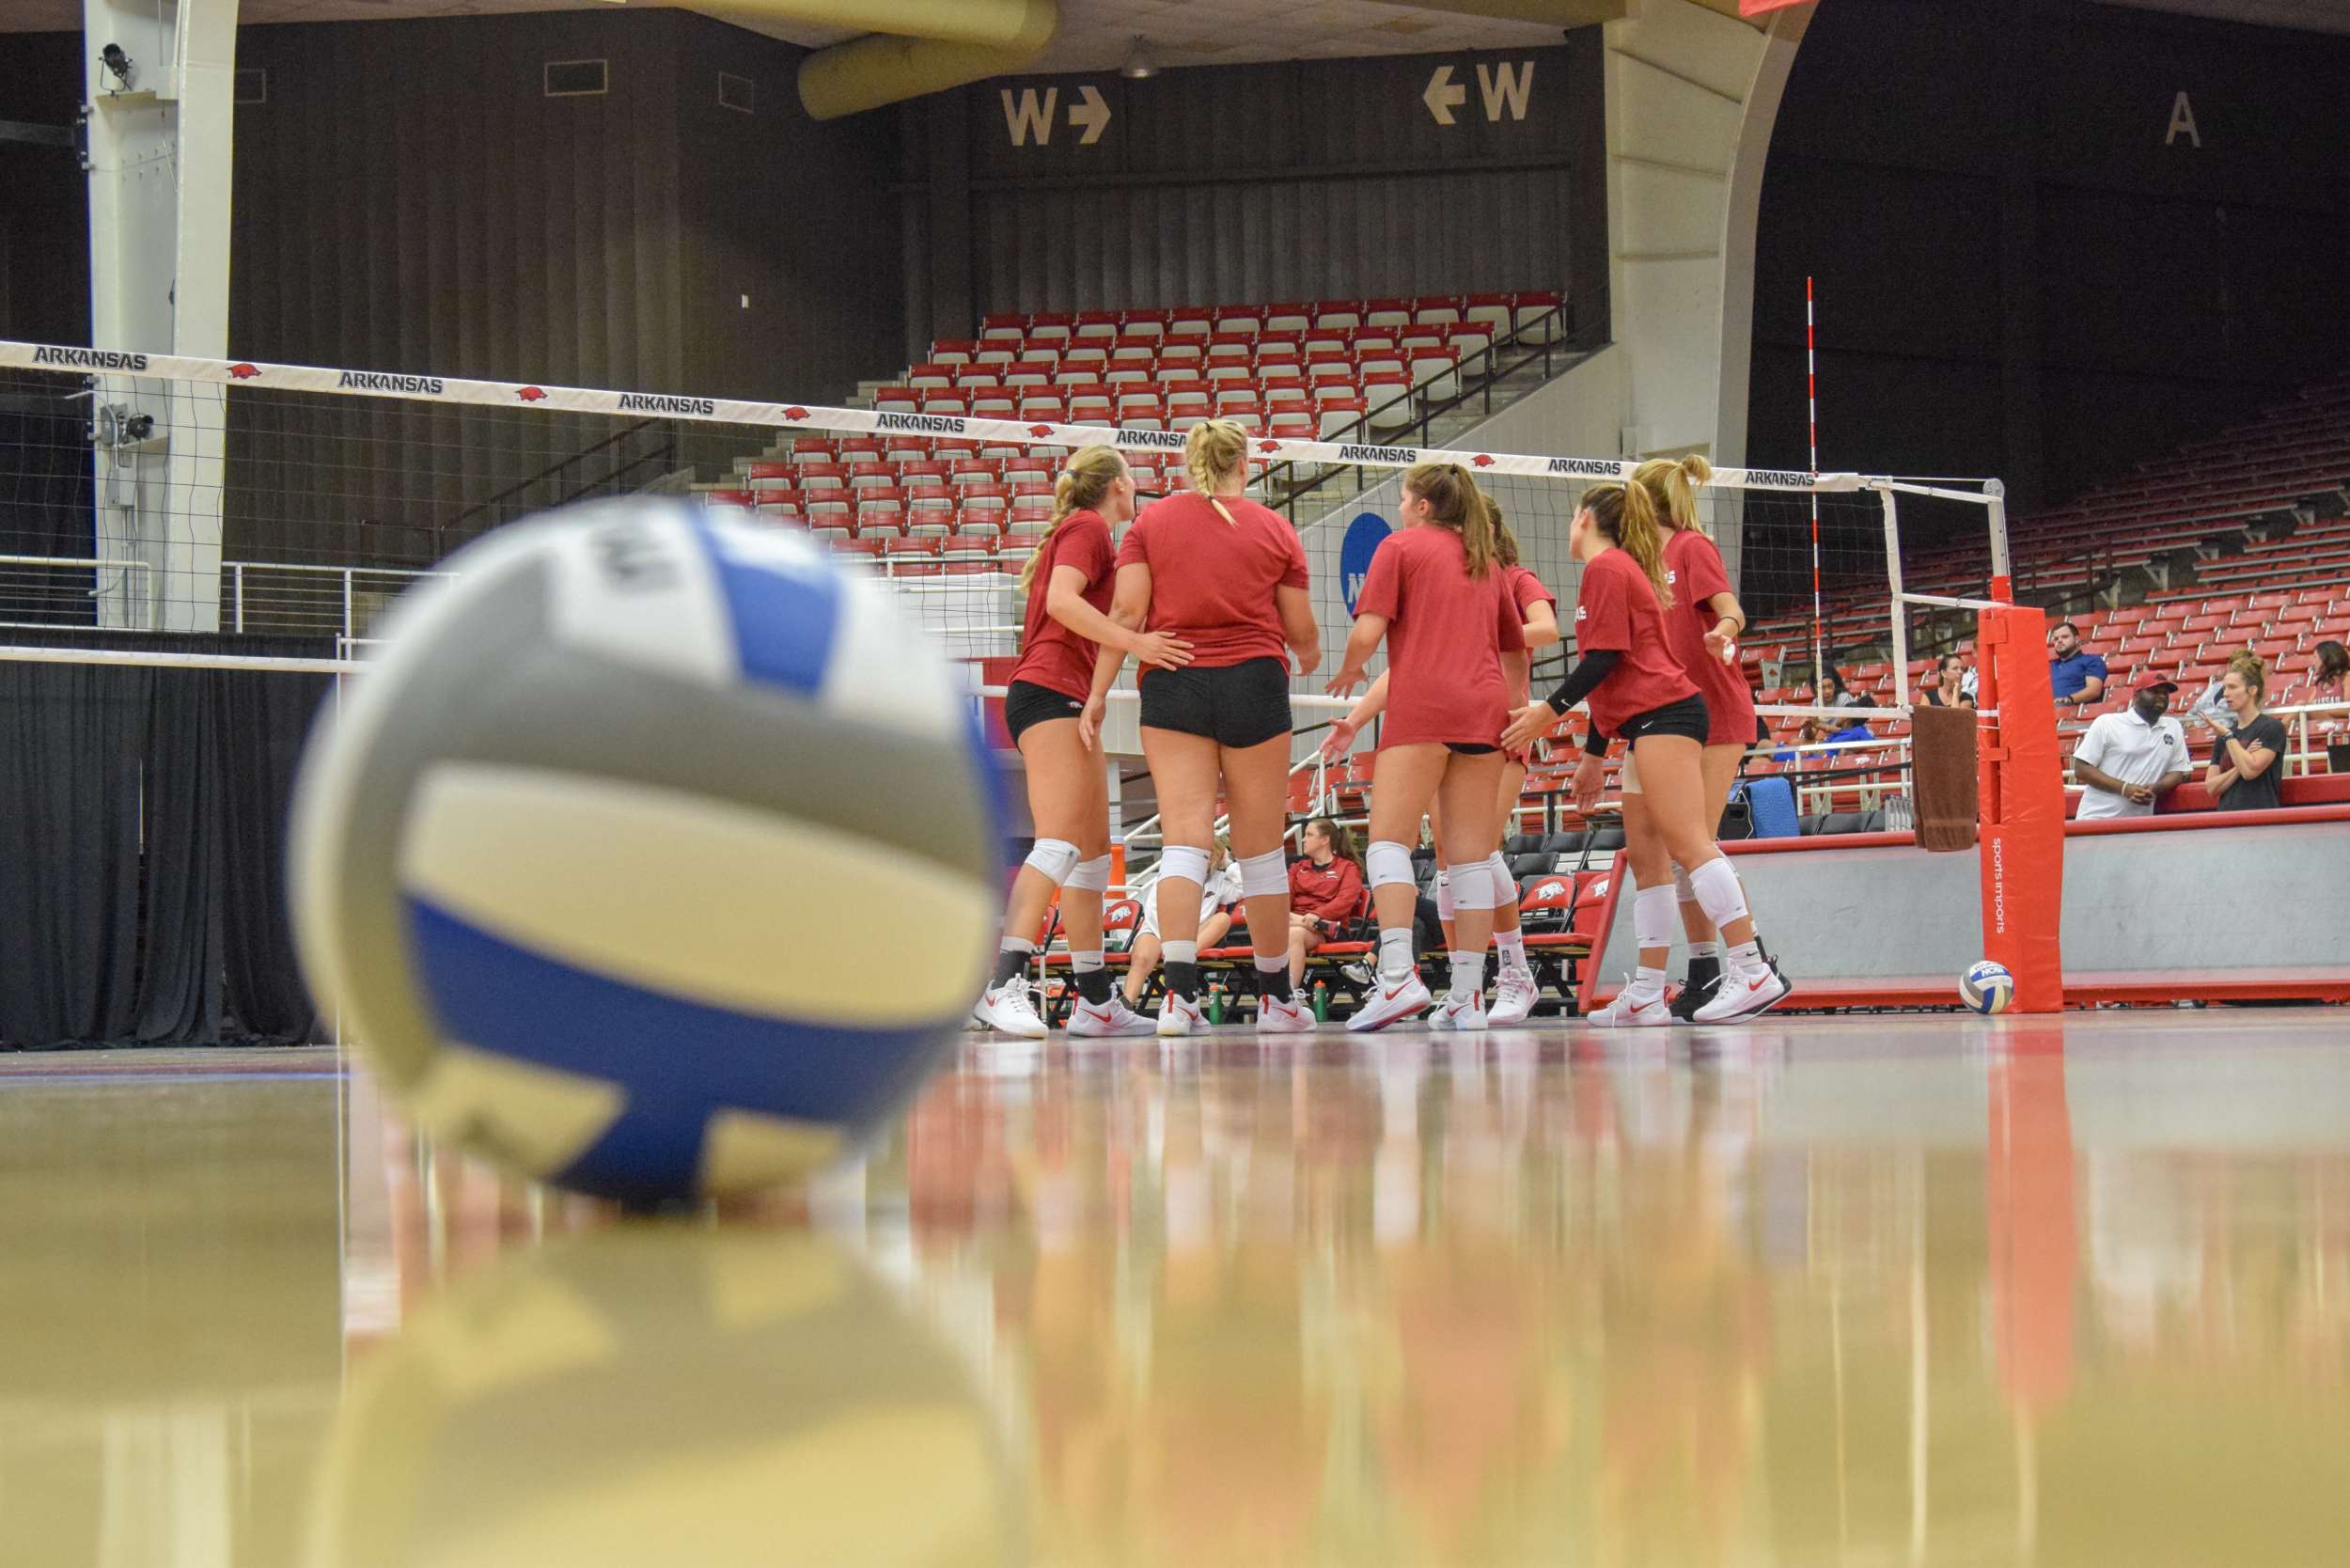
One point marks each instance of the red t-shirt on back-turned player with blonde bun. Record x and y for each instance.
(1214, 582)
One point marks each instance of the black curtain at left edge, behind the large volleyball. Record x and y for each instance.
(142, 847)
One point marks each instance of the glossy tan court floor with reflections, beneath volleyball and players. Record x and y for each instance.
(1815, 1294)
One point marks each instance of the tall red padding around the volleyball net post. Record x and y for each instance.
(2022, 800)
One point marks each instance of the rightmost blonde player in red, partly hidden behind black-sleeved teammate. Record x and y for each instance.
(1703, 631)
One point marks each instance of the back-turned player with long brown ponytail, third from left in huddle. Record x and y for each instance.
(1456, 652)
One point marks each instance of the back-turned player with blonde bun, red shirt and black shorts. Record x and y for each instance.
(1230, 579)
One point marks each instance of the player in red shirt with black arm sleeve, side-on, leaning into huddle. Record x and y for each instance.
(1641, 692)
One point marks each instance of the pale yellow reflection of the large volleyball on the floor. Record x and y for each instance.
(666, 1395)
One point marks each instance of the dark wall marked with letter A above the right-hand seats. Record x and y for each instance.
(1999, 208)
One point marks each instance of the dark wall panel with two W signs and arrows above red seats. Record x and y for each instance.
(1261, 182)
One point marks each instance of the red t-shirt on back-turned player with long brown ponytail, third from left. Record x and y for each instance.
(1446, 634)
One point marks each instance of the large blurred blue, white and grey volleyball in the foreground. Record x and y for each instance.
(654, 855)
